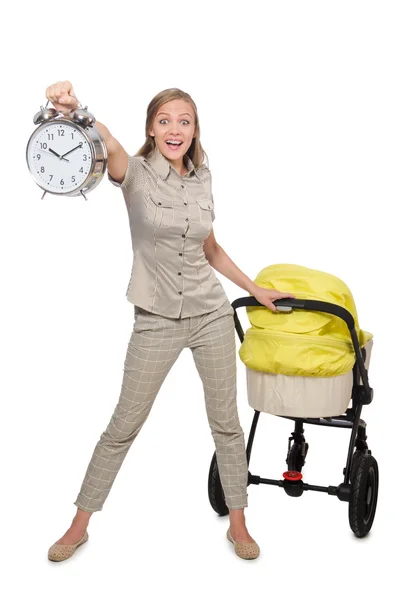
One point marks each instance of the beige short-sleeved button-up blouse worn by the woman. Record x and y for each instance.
(170, 217)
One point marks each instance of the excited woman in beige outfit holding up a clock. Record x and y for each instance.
(179, 302)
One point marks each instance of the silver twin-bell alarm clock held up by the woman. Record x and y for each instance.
(66, 155)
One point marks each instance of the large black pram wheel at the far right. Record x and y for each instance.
(364, 494)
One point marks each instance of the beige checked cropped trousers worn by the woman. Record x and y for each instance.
(155, 344)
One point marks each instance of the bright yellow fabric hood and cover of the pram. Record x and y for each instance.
(306, 343)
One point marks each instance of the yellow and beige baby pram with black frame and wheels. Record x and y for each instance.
(308, 362)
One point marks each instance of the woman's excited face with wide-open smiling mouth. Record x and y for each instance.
(174, 122)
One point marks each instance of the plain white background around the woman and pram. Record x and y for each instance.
(297, 104)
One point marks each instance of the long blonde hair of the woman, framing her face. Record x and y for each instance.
(195, 152)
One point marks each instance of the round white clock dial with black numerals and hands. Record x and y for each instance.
(59, 157)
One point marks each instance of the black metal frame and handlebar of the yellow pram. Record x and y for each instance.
(363, 394)
